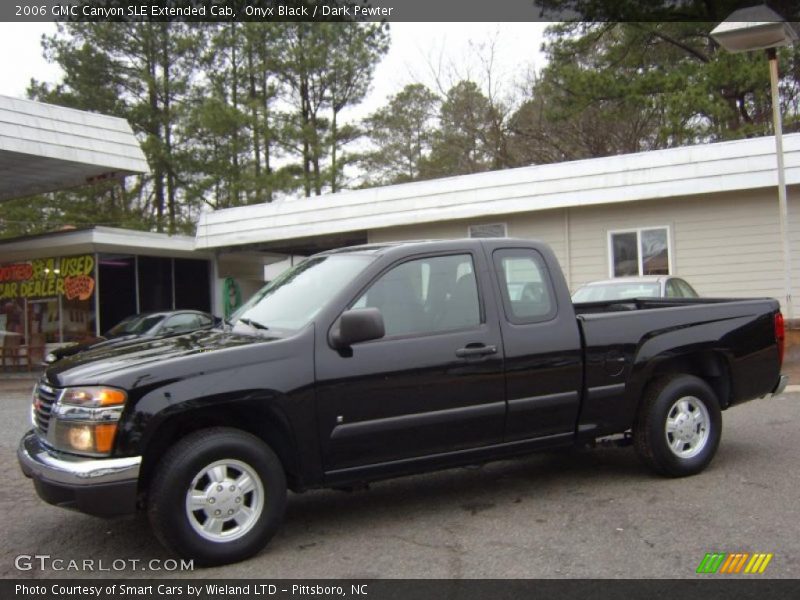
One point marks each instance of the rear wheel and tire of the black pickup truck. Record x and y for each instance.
(678, 427)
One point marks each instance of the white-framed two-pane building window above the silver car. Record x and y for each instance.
(644, 251)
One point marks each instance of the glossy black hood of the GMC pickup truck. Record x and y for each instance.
(138, 362)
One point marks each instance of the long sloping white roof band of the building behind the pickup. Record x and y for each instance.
(691, 170)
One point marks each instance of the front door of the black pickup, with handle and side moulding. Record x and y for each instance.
(411, 395)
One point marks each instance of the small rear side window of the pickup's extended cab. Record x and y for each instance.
(525, 286)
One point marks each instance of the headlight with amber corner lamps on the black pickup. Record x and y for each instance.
(85, 419)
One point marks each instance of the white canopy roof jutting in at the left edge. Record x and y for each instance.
(44, 148)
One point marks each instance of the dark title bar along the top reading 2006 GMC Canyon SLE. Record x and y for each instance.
(381, 10)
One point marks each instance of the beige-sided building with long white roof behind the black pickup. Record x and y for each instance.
(708, 213)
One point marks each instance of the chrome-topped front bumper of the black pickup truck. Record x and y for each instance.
(97, 486)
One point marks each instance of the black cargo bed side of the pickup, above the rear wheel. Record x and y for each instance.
(628, 343)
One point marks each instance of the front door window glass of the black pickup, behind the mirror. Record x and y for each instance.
(427, 295)
